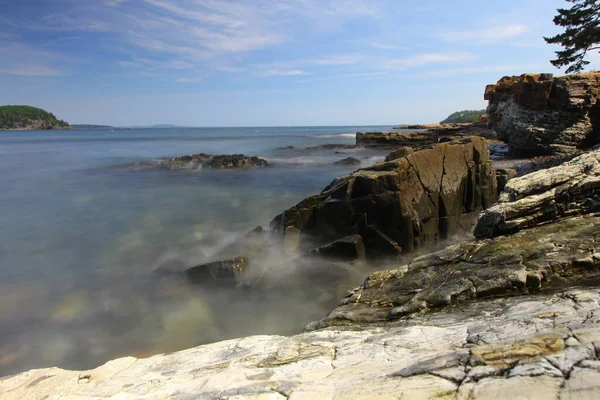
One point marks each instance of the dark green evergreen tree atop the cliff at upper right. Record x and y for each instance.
(582, 34)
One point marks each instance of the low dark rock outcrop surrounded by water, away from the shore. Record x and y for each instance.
(210, 161)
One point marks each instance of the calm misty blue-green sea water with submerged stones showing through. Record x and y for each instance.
(83, 229)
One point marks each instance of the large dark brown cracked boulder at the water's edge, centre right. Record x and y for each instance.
(401, 205)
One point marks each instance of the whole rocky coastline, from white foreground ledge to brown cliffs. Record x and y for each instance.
(494, 285)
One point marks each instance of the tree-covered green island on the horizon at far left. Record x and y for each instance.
(29, 118)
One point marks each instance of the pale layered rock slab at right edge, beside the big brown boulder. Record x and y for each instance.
(569, 189)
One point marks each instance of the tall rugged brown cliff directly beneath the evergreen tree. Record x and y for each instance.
(538, 114)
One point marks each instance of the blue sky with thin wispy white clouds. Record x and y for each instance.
(266, 62)
